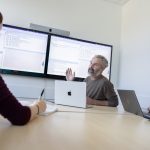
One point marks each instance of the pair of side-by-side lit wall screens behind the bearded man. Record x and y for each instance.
(37, 53)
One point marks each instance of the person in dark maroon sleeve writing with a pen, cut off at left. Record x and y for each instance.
(10, 107)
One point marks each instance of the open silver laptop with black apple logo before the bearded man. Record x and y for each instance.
(70, 93)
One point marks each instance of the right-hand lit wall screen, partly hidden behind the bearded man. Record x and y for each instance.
(74, 53)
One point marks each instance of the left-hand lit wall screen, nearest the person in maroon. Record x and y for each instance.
(22, 50)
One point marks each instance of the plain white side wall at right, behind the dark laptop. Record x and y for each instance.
(135, 49)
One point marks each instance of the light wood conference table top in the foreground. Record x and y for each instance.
(70, 128)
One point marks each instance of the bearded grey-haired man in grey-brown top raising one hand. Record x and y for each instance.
(99, 90)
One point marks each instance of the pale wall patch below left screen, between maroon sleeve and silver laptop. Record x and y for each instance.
(30, 87)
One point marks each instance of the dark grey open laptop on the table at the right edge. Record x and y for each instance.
(131, 104)
